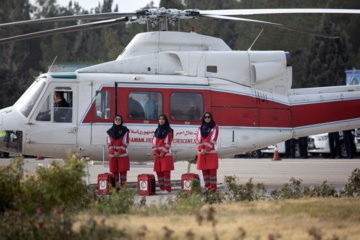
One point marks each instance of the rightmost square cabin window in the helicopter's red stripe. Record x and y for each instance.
(186, 106)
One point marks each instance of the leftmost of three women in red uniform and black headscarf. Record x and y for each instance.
(118, 142)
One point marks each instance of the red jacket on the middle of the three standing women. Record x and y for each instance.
(163, 146)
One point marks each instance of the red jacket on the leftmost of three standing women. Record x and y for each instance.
(120, 145)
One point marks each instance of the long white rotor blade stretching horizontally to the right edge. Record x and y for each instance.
(233, 12)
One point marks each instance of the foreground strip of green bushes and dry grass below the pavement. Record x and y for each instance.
(55, 203)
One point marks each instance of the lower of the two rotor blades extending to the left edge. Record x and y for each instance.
(80, 27)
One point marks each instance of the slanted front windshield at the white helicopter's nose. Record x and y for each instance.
(27, 101)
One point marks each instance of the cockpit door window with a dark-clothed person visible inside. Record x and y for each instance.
(61, 99)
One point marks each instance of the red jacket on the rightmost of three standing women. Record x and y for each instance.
(210, 159)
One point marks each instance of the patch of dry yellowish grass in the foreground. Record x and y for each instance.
(315, 218)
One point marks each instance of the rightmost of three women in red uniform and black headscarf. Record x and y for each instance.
(207, 158)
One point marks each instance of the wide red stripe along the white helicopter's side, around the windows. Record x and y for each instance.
(230, 109)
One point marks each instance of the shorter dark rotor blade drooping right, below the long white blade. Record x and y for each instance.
(272, 24)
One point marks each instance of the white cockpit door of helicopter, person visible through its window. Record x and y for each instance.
(54, 120)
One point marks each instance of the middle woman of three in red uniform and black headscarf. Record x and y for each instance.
(163, 161)
